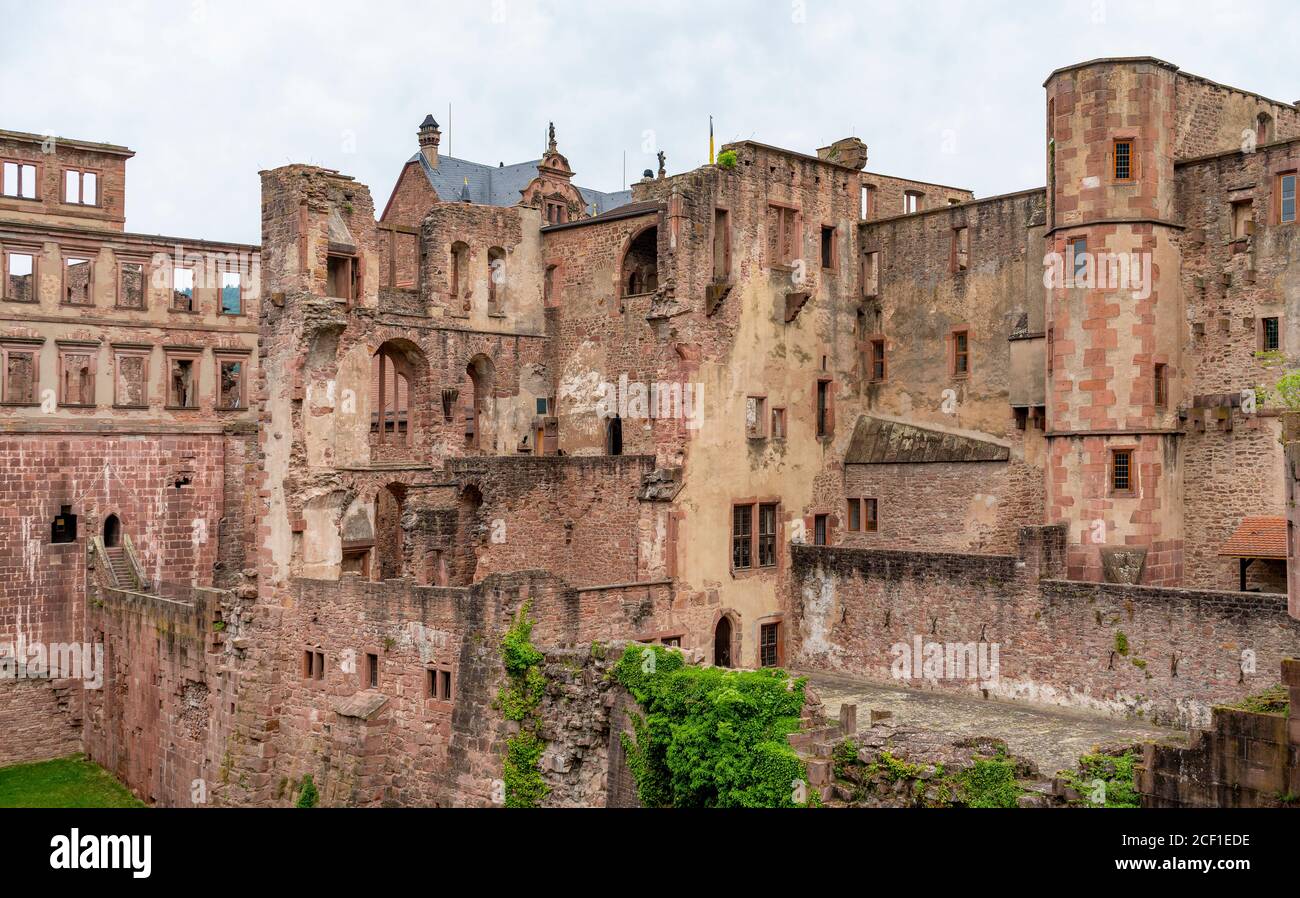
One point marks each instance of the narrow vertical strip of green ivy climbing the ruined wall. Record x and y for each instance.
(519, 700)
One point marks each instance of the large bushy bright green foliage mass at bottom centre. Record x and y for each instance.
(710, 738)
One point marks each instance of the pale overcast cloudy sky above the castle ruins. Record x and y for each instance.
(210, 93)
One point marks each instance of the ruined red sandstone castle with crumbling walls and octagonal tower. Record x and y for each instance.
(778, 411)
